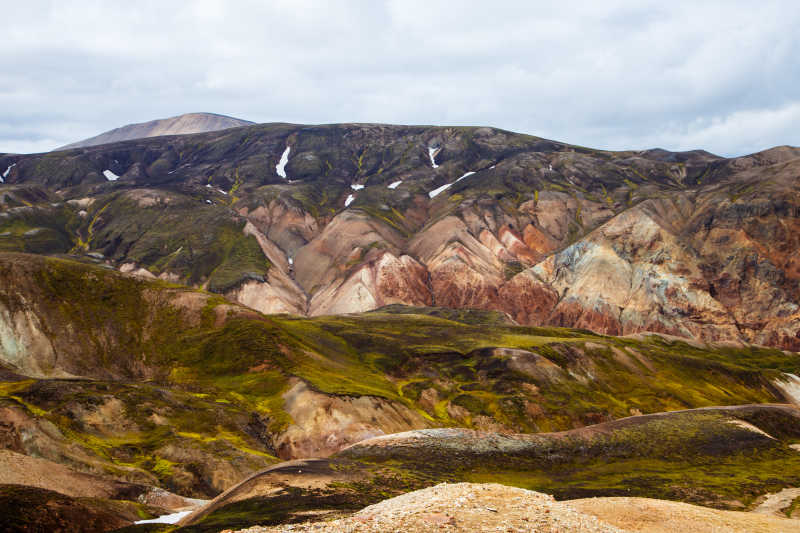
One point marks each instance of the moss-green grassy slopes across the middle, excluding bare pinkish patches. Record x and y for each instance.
(209, 376)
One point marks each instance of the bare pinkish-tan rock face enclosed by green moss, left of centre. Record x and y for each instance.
(323, 425)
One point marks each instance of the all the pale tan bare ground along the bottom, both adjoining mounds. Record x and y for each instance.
(492, 507)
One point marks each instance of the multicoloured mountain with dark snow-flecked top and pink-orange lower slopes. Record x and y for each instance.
(316, 220)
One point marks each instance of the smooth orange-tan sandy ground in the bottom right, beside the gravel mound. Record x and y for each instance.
(659, 516)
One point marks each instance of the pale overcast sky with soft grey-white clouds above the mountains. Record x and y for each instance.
(718, 75)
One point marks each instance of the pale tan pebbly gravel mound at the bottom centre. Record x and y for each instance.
(460, 507)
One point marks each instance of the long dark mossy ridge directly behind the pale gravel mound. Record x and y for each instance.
(722, 457)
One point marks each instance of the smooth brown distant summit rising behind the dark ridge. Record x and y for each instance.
(180, 125)
